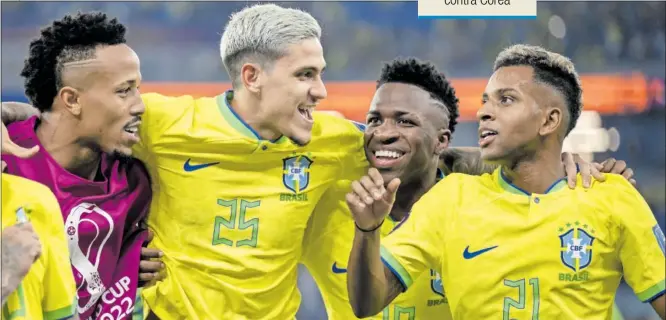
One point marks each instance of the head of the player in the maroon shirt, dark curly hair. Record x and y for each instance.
(81, 74)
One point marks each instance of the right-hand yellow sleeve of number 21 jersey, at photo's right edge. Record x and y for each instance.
(641, 242)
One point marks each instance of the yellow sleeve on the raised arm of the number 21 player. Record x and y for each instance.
(415, 245)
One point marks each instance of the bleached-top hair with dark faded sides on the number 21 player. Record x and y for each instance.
(550, 68)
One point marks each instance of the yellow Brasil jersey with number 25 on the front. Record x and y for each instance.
(229, 209)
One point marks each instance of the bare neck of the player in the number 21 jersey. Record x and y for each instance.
(535, 173)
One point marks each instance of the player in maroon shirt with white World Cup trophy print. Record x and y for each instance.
(84, 80)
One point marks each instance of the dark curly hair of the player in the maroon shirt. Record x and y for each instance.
(73, 38)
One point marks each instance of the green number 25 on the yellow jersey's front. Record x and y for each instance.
(236, 214)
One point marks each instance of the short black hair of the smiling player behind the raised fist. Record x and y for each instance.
(424, 75)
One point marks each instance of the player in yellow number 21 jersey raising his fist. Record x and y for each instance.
(515, 243)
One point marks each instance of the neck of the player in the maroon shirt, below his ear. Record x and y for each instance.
(63, 145)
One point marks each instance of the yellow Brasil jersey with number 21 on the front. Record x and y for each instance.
(504, 254)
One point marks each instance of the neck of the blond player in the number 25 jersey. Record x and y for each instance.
(247, 108)
